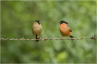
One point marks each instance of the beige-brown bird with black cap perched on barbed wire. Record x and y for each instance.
(37, 29)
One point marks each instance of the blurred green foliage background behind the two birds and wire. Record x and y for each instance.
(18, 17)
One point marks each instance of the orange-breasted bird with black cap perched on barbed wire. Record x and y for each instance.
(65, 29)
